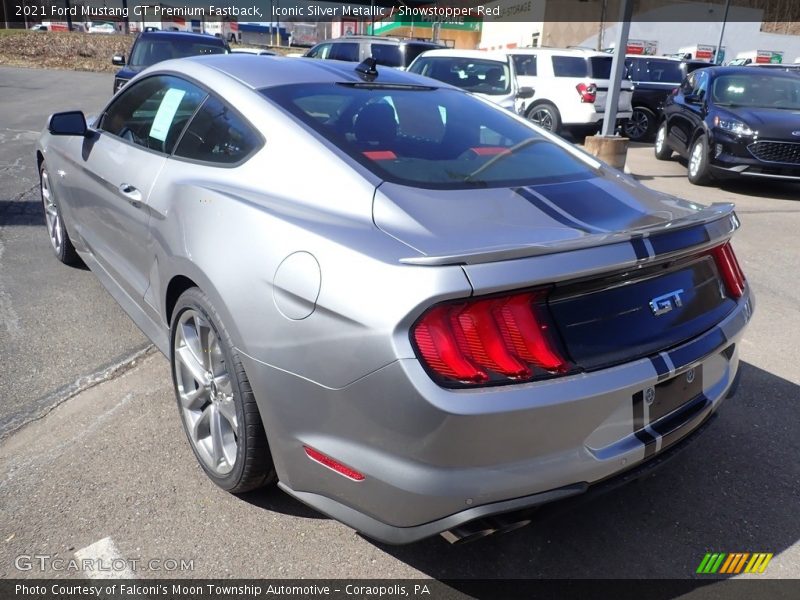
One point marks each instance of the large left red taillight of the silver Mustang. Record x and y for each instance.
(489, 340)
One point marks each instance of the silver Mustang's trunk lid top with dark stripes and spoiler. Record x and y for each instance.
(458, 226)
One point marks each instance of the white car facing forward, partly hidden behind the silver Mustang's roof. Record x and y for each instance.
(489, 75)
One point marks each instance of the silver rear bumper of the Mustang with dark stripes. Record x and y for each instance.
(434, 458)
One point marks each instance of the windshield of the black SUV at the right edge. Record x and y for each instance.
(758, 90)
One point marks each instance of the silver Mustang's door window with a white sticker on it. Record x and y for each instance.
(152, 113)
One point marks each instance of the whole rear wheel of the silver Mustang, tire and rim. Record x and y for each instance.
(217, 406)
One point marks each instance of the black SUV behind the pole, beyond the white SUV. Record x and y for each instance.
(654, 78)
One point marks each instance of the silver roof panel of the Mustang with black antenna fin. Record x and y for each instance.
(260, 72)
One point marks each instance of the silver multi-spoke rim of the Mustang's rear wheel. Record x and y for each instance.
(205, 393)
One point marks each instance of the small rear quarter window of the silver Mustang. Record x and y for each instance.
(217, 135)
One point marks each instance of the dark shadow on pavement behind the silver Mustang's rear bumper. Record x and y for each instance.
(734, 489)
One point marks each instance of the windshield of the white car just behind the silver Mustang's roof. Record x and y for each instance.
(481, 76)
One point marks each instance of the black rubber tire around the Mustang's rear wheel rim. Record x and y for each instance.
(253, 467)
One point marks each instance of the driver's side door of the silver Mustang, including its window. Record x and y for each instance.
(119, 166)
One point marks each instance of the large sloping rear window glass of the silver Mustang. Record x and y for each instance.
(429, 137)
